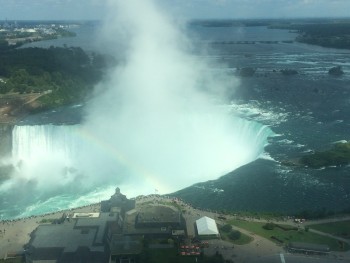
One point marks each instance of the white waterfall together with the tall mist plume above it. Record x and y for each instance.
(155, 122)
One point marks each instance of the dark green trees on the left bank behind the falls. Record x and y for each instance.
(66, 74)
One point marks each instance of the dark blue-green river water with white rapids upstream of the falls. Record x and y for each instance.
(309, 111)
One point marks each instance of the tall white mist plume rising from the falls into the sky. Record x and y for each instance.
(159, 109)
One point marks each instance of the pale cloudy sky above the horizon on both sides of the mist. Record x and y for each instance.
(96, 9)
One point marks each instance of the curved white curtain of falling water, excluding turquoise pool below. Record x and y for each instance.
(58, 155)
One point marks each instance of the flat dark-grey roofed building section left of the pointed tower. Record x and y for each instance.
(80, 238)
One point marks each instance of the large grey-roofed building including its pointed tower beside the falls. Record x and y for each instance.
(82, 237)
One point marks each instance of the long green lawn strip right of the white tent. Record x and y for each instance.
(289, 236)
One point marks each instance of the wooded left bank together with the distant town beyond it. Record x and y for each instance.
(39, 79)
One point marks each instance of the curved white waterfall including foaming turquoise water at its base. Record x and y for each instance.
(59, 164)
